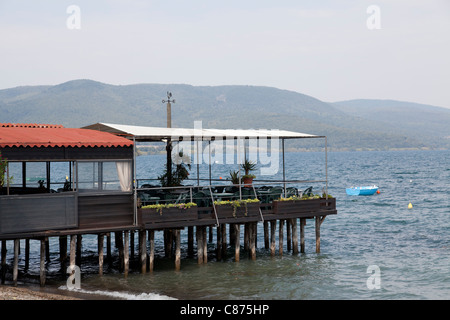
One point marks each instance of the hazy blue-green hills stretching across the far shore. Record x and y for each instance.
(349, 125)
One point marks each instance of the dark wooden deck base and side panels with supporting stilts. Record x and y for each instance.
(72, 214)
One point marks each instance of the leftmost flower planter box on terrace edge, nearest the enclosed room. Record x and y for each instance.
(167, 216)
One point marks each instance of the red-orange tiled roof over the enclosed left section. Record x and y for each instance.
(56, 136)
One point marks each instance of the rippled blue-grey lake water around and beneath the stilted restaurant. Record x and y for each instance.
(408, 248)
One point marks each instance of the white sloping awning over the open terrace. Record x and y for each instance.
(142, 133)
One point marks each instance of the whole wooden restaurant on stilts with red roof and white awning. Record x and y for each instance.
(104, 195)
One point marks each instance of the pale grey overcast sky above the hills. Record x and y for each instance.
(331, 50)
